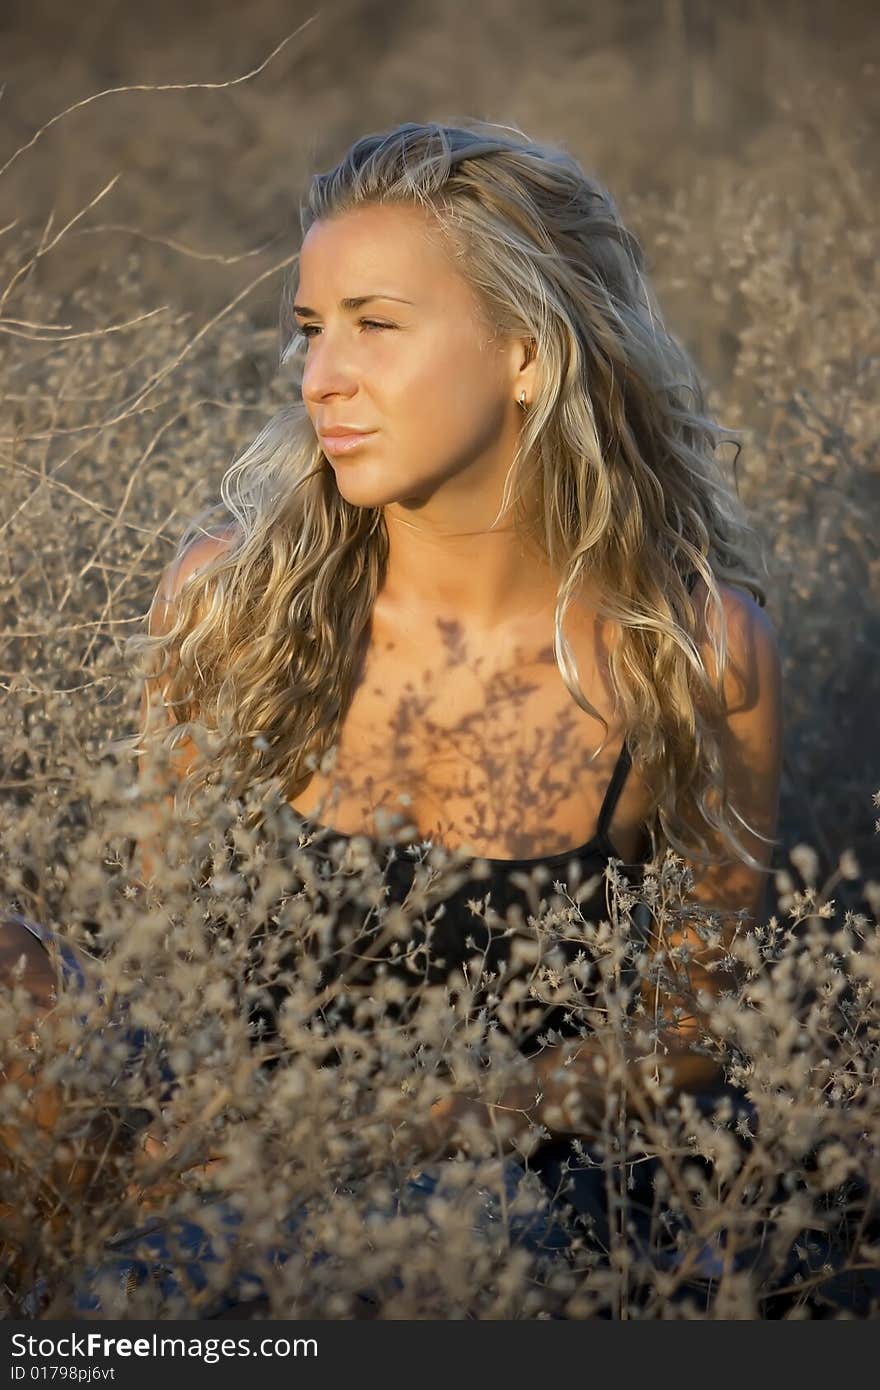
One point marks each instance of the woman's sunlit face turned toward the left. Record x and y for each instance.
(418, 366)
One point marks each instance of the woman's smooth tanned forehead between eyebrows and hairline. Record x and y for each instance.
(369, 250)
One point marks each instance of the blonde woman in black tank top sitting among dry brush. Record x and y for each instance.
(494, 523)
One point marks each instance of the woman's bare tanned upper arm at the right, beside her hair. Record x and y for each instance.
(751, 747)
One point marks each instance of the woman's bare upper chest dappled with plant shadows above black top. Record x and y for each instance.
(478, 746)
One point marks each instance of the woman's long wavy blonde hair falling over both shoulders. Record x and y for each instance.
(266, 640)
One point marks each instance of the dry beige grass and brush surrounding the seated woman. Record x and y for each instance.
(112, 407)
